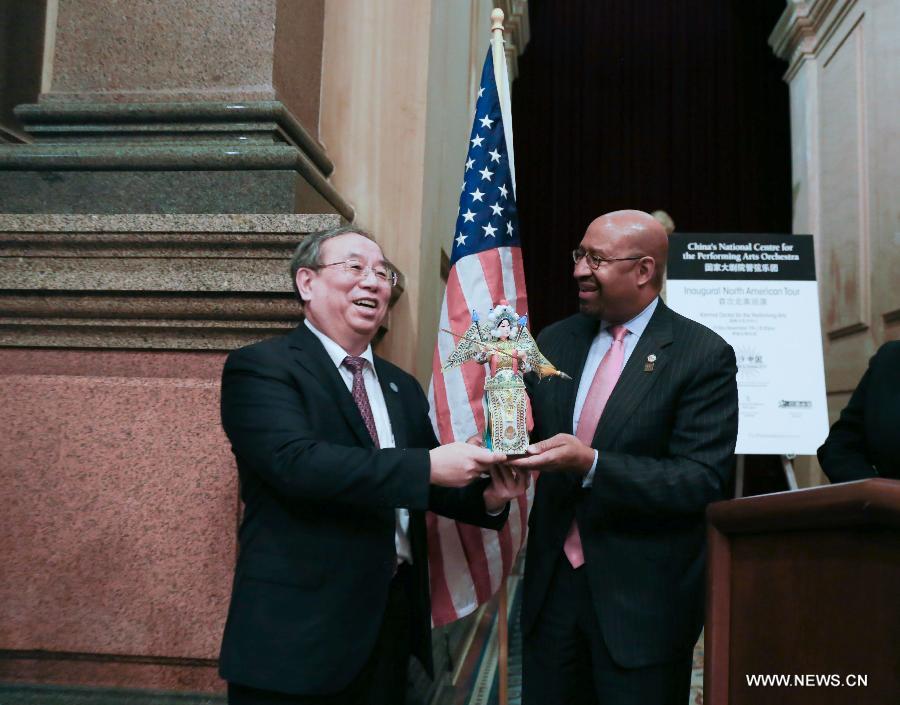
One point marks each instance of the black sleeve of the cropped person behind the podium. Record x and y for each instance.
(843, 455)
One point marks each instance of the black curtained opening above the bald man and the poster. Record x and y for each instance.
(676, 105)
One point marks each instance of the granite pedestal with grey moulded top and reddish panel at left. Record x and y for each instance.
(121, 498)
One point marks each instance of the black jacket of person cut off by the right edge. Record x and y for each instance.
(864, 441)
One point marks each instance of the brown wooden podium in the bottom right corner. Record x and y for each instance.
(803, 597)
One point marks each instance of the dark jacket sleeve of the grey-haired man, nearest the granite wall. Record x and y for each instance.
(267, 422)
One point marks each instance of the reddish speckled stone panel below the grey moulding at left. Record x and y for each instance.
(120, 512)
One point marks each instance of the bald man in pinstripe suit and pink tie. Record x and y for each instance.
(630, 454)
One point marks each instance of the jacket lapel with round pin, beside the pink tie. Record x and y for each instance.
(635, 381)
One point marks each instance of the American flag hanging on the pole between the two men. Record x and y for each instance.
(468, 564)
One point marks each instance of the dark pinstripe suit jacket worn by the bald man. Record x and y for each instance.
(666, 449)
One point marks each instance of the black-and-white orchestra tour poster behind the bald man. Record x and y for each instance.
(759, 293)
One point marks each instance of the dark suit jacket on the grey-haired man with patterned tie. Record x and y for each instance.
(317, 548)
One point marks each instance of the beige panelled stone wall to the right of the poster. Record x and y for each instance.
(844, 79)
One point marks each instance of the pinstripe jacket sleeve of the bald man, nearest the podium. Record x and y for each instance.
(697, 467)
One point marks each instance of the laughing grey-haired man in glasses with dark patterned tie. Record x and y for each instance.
(337, 463)
